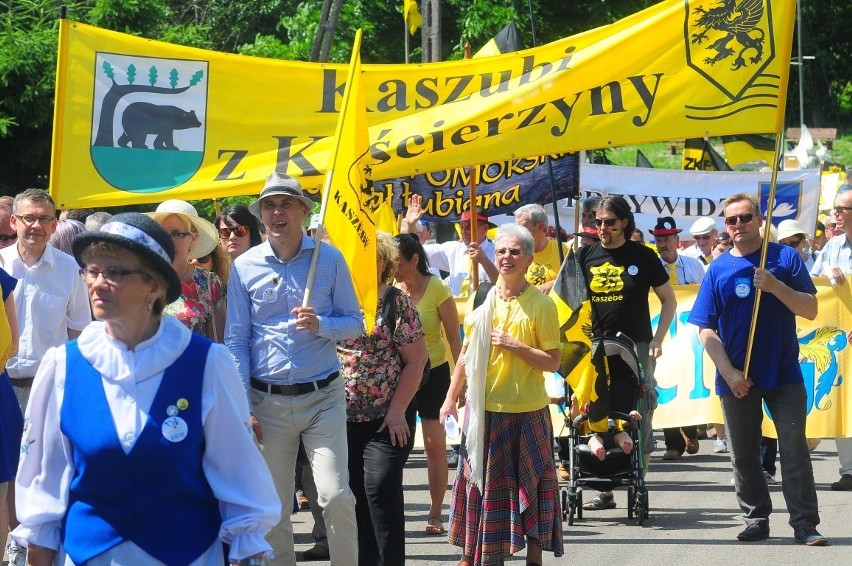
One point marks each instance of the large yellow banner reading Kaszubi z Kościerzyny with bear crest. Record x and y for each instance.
(143, 121)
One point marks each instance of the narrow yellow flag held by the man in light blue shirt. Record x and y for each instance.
(346, 211)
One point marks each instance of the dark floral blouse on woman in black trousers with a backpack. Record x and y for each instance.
(371, 364)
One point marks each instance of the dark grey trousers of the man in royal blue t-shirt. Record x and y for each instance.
(743, 418)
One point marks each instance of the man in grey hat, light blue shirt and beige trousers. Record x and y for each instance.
(286, 355)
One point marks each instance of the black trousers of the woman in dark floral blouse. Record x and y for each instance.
(375, 476)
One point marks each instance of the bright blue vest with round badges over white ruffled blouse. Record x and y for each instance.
(156, 496)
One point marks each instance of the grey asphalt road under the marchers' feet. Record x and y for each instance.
(694, 519)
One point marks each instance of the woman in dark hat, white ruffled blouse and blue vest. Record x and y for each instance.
(137, 447)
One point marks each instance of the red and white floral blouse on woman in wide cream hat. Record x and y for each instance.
(200, 296)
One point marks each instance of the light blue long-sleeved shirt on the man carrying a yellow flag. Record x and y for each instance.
(261, 329)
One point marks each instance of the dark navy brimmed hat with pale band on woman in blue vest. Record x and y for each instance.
(141, 235)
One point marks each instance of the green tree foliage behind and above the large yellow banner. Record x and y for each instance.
(286, 29)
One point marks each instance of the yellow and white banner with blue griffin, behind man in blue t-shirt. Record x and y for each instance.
(686, 375)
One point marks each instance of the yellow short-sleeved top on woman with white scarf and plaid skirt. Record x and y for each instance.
(512, 385)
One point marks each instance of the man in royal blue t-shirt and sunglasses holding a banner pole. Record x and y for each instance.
(722, 311)
